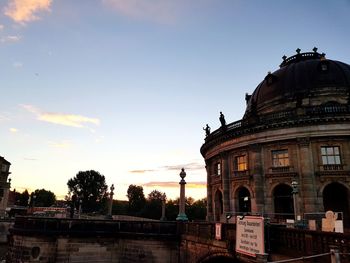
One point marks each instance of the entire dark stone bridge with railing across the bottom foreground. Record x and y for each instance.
(36, 239)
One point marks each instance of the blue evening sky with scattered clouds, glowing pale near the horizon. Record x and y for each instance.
(125, 87)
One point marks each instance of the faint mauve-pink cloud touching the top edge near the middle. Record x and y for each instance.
(162, 11)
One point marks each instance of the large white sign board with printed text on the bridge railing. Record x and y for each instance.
(250, 235)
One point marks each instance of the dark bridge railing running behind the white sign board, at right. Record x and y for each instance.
(279, 239)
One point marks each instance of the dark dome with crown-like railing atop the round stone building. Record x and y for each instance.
(300, 79)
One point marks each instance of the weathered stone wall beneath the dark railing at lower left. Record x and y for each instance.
(76, 250)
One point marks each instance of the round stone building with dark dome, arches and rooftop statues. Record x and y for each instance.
(290, 153)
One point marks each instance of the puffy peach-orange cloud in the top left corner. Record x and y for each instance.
(24, 11)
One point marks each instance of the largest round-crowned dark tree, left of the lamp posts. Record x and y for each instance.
(91, 188)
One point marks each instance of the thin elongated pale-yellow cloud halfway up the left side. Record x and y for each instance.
(72, 120)
